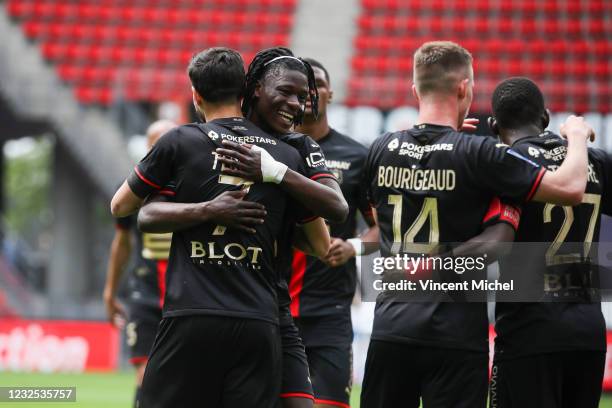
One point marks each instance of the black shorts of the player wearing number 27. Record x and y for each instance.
(557, 380)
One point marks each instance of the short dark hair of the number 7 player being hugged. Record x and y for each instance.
(217, 74)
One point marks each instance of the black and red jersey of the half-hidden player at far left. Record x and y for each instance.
(146, 281)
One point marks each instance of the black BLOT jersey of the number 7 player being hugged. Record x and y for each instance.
(215, 270)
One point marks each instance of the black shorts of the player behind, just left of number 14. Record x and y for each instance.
(328, 341)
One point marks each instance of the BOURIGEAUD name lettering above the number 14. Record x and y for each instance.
(414, 179)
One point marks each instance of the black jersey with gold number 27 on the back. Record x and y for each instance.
(568, 318)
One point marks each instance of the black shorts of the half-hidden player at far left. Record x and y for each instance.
(140, 330)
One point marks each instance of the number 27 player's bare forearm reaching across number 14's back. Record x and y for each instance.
(493, 241)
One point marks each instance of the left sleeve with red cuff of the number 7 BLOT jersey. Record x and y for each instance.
(155, 171)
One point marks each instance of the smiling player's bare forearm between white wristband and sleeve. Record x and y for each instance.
(323, 198)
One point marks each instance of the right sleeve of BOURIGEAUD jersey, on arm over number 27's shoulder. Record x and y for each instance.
(505, 171)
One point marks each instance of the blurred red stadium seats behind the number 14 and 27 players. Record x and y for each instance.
(564, 45)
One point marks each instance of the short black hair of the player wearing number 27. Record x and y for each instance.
(517, 102)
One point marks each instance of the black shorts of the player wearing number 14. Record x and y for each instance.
(400, 375)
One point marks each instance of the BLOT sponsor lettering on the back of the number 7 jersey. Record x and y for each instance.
(233, 253)
